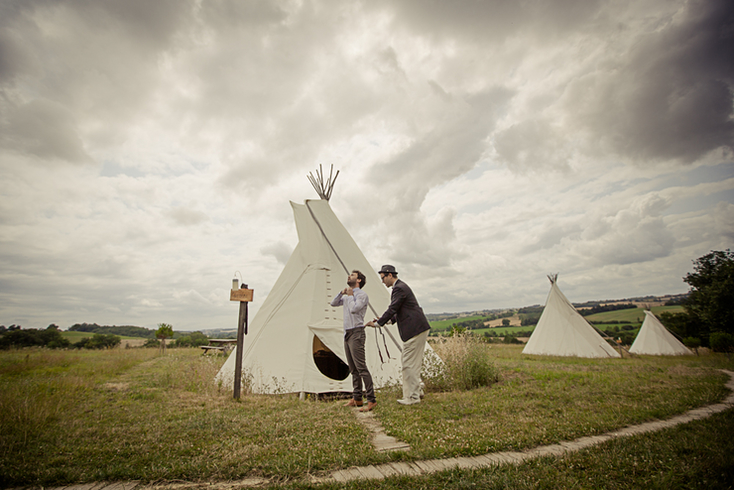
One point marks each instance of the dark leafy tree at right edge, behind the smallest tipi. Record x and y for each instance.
(711, 300)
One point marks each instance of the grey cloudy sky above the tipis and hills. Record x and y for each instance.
(148, 150)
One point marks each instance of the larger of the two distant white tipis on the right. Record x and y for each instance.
(562, 331)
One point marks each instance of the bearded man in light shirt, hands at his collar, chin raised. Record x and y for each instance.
(355, 303)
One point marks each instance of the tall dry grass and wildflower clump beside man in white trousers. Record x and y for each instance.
(464, 364)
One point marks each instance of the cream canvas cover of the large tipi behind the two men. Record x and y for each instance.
(295, 341)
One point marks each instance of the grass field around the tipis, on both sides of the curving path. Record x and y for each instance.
(134, 414)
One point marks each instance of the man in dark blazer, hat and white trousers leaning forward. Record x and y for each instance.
(413, 327)
